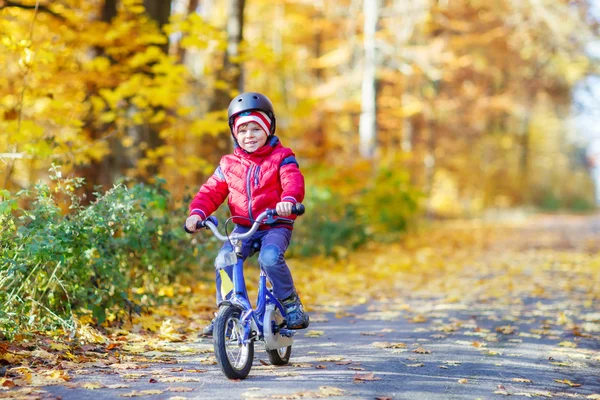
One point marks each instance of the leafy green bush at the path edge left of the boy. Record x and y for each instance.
(59, 258)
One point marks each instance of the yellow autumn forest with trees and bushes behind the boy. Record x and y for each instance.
(112, 113)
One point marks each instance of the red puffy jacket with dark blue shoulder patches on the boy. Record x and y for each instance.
(253, 182)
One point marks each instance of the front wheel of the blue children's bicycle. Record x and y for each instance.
(233, 356)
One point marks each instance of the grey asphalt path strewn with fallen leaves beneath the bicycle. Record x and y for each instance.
(421, 347)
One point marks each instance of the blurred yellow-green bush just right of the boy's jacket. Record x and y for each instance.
(343, 208)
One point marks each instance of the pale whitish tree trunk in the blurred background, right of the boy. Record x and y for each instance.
(368, 123)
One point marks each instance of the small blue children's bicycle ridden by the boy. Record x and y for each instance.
(237, 325)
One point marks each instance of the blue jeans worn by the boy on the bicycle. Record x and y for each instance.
(273, 244)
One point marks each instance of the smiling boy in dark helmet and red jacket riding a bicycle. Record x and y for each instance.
(260, 174)
